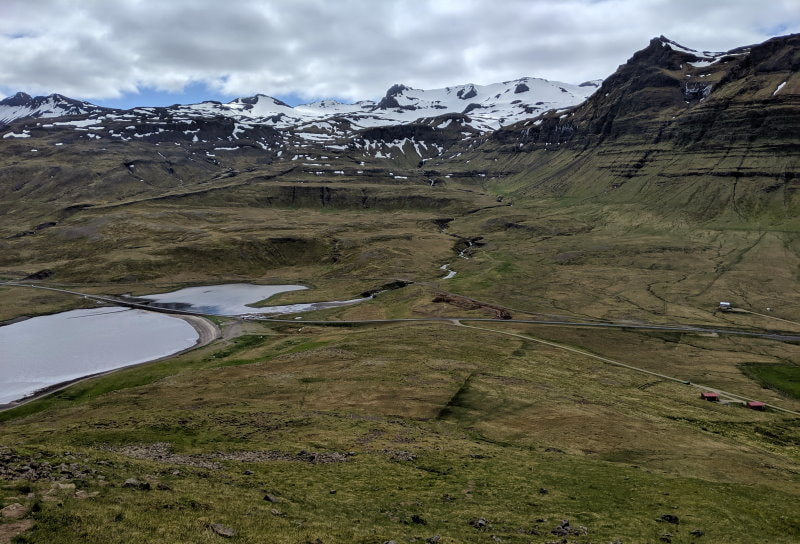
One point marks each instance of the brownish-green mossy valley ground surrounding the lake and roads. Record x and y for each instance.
(447, 424)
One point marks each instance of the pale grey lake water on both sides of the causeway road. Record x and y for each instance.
(51, 349)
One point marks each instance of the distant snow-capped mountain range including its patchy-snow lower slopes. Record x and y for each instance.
(425, 122)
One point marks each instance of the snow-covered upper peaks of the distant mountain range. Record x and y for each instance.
(488, 106)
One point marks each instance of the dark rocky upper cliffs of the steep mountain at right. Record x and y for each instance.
(663, 92)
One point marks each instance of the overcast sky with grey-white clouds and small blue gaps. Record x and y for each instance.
(153, 52)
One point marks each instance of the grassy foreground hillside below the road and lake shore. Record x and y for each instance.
(368, 435)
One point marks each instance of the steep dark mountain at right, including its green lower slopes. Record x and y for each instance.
(705, 134)
